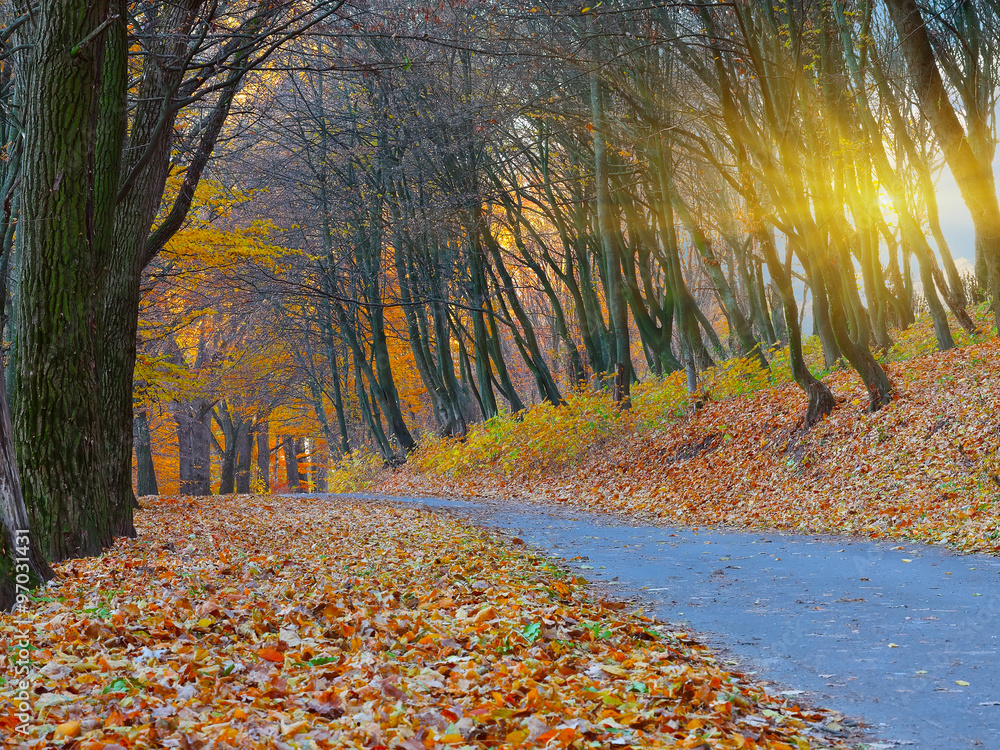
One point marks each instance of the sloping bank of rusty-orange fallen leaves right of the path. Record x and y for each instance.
(923, 468)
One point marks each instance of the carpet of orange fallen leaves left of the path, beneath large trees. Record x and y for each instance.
(277, 623)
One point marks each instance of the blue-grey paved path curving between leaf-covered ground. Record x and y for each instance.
(904, 638)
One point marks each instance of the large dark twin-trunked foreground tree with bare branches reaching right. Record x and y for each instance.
(93, 169)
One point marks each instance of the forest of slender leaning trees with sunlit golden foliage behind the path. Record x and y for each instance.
(422, 218)
